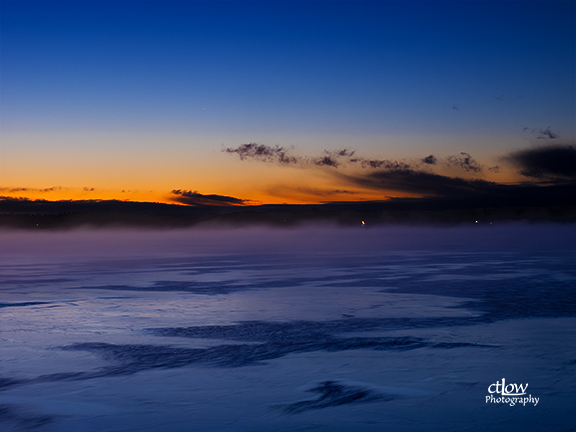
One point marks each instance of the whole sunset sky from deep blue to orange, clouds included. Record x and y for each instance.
(271, 102)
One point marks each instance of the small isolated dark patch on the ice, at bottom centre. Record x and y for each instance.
(334, 393)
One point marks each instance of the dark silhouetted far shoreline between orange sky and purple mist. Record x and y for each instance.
(339, 214)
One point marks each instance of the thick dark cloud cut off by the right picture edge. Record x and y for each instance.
(545, 162)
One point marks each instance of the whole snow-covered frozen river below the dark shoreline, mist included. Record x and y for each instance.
(391, 329)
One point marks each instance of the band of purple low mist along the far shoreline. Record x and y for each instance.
(84, 243)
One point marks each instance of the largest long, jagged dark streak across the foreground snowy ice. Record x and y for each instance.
(265, 341)
